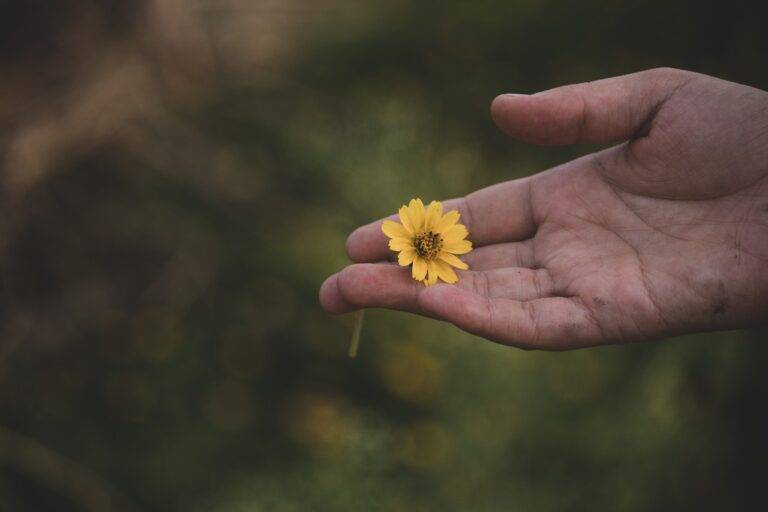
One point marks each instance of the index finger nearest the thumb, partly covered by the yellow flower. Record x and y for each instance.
(499, 213)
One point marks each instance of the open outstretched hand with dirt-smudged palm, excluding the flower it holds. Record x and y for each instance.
(663, 234)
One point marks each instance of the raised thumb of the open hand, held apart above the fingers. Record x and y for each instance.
(609, 110)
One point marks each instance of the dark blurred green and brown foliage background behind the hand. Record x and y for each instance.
(178, 178)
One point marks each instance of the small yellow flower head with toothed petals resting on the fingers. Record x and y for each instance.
(428, 240)
